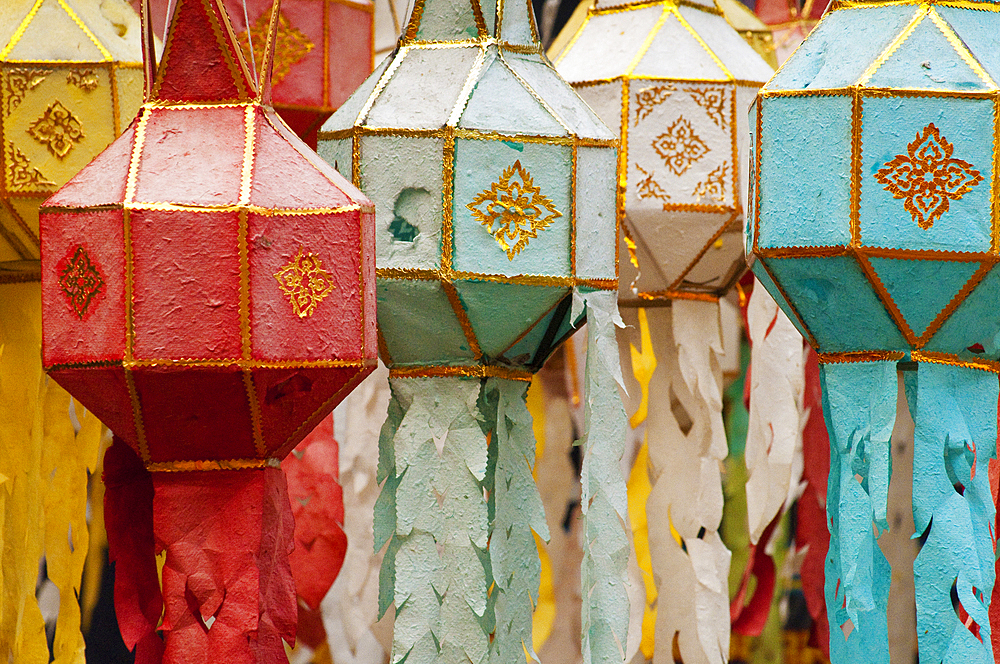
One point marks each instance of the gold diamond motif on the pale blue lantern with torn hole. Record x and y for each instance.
(516, 206)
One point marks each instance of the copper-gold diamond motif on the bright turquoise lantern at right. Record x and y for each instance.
(926, 178)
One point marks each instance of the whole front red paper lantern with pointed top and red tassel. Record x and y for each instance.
(208, 292)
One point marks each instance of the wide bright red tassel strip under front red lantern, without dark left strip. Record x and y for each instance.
(228, 593)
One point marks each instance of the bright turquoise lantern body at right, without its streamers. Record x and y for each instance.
(874, 161)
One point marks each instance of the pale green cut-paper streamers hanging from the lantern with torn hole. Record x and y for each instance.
(458, 517)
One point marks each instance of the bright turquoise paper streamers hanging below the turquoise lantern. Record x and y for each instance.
(954, 409)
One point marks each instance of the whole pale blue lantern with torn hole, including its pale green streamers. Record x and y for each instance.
(494, 193)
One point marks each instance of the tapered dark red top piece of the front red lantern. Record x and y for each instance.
(209, 66)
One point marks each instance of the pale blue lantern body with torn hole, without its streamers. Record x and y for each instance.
(493, 187)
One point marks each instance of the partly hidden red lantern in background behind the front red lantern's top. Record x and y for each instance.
(323, 51)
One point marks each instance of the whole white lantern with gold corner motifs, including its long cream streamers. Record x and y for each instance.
(673, 79)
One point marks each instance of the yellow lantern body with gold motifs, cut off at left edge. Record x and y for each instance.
(72, 80)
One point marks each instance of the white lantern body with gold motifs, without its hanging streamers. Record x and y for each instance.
(673, 79)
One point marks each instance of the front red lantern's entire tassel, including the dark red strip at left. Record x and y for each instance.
(227, 589)
